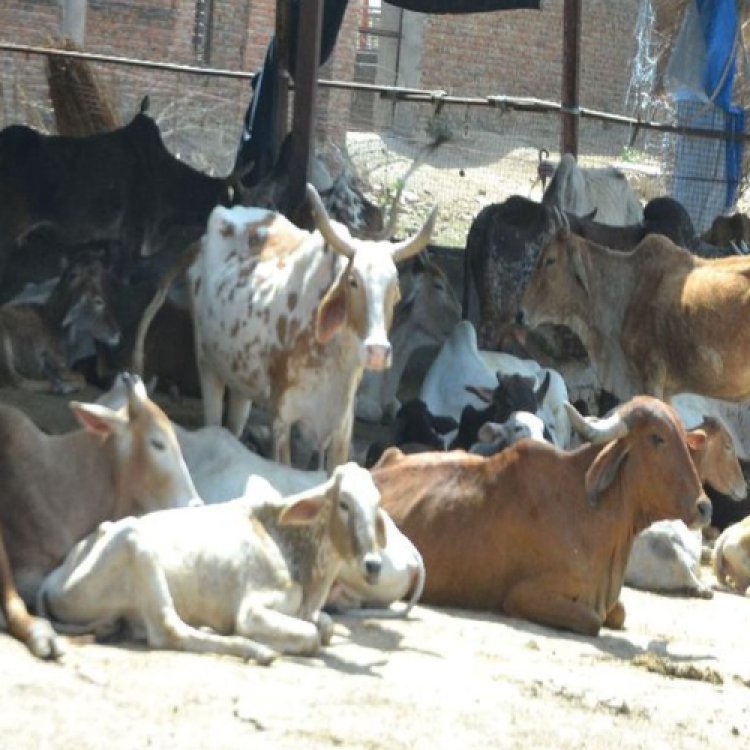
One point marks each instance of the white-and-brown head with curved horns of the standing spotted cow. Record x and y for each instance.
(366, 291)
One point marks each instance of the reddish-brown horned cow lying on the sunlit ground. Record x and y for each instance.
(539, 533)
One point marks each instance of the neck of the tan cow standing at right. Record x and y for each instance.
(611, 279)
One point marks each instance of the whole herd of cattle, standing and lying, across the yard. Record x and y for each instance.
(491, 490)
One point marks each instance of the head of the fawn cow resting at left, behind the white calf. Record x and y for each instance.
(151, 472)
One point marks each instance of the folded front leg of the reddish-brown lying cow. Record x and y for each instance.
(534, 600)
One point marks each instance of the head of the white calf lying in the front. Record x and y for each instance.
(355, 522)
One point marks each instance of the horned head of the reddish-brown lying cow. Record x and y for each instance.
(646, 450)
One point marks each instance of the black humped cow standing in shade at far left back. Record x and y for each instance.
(121, 185)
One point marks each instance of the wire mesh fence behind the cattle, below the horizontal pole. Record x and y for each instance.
(488, 154)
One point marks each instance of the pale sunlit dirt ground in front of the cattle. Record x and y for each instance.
(677, 677)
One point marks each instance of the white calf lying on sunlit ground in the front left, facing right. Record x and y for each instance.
(255, 570)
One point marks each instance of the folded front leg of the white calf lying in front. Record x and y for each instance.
(290, 635)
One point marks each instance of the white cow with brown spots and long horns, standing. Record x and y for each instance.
(291, 318)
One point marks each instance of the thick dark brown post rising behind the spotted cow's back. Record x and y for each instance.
(305, 90)
